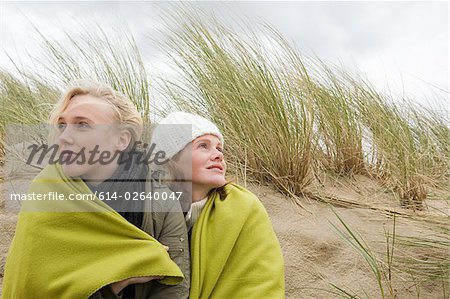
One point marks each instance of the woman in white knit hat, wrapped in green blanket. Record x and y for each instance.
(234, 250)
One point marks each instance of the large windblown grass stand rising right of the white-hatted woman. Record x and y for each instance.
(289, 117)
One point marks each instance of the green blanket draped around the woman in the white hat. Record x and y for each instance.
(234, 250)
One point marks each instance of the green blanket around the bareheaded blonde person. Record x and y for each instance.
(73, 254)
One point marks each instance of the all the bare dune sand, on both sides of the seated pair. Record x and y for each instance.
(315, 257)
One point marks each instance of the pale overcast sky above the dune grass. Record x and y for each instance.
(403, 45)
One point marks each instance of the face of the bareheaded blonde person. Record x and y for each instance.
(86, 131)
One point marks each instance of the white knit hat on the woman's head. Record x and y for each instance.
(178, 129)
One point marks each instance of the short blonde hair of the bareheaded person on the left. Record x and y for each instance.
(125, 112)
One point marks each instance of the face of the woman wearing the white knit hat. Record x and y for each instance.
(203, 160)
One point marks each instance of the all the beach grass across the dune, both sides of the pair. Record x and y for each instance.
(287, 119)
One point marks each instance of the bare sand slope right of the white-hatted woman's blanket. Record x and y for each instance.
(315, 257)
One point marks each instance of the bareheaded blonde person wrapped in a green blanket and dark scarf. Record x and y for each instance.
(104, 247)
